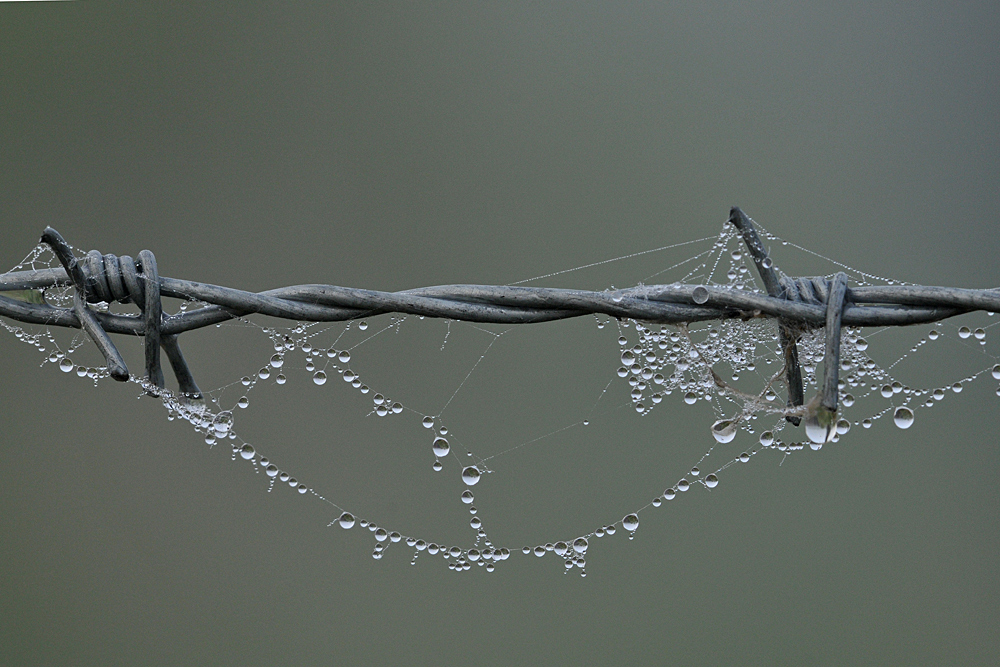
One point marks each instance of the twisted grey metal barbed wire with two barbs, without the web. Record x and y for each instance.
(798, 304)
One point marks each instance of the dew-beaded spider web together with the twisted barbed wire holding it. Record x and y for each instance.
(798, 323)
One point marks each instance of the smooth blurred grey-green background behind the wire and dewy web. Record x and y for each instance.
(391, 146)
